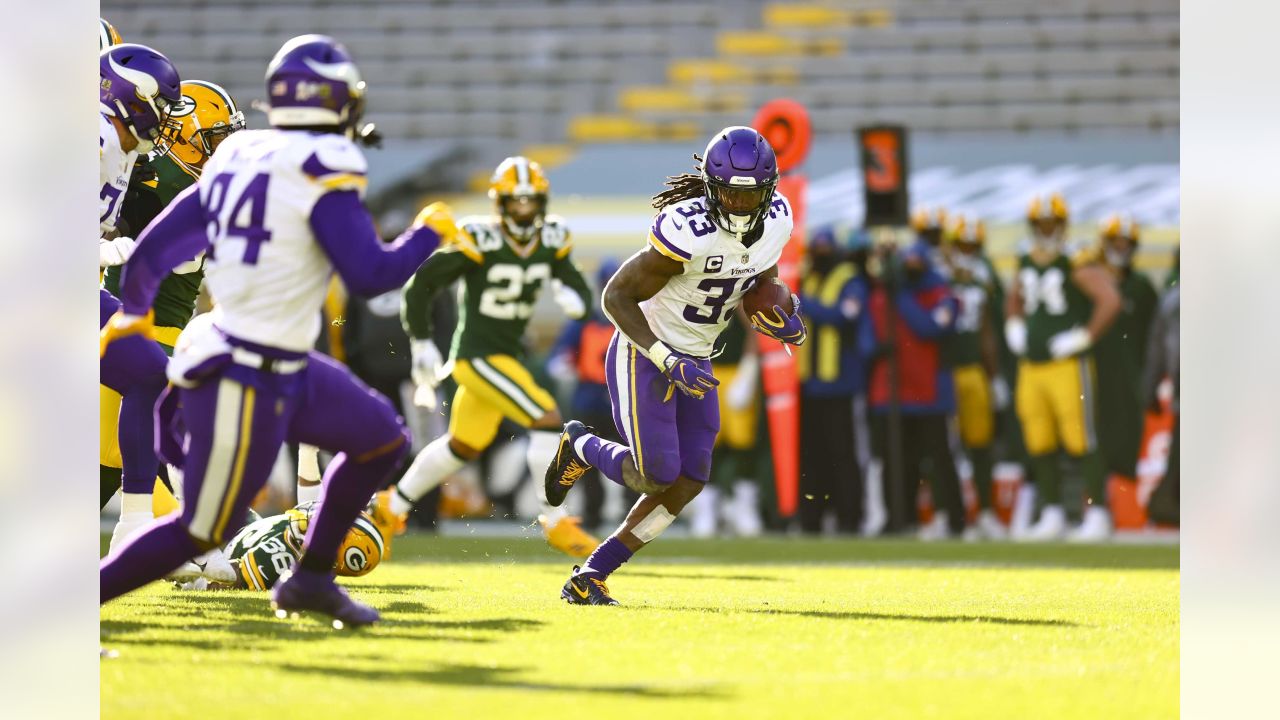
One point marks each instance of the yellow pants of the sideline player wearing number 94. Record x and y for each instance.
(1057, 405)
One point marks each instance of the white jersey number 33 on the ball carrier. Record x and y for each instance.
(692, 311)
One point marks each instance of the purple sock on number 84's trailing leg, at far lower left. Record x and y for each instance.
(148, 557)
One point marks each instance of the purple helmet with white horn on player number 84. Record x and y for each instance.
(313, 83)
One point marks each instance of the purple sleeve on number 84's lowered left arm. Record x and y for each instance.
(176, 236)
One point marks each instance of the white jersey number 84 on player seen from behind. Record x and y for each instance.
(266, 271)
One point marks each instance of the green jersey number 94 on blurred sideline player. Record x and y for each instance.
(1052, 303)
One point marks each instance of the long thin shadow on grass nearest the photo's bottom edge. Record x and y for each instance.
(505, 678)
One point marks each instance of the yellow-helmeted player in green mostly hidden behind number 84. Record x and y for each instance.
(199, 122)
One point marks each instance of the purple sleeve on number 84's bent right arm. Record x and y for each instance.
(346, 233)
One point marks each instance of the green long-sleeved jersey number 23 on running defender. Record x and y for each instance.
(501, 282)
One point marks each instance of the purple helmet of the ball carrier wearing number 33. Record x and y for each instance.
(740, 174)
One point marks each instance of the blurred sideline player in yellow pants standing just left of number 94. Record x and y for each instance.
(973, 354)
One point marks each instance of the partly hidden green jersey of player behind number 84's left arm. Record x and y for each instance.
(176, 300)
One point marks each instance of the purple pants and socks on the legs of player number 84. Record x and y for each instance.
(237, 422)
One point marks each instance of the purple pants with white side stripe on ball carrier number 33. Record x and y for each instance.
(670, 434)
